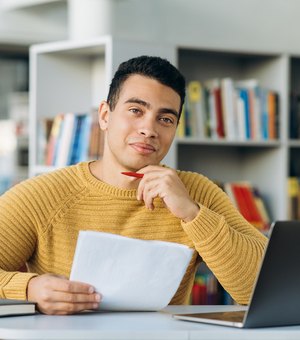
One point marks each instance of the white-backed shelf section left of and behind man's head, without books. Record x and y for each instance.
(74, 76)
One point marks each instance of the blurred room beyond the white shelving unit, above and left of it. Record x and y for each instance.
(252, 25)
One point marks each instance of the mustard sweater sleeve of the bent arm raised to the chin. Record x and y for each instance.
(231, 247)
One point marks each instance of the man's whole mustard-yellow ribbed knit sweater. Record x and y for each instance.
(40, 219)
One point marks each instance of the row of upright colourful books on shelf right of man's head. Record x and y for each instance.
(231, 110)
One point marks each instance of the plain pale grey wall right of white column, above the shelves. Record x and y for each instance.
(266, 25)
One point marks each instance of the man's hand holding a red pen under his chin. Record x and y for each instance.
(165, 183)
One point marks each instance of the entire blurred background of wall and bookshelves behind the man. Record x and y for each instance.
(57, 54)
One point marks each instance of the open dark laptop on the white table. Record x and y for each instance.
(275, 299)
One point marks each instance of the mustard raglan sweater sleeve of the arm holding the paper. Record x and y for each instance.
(26, 213)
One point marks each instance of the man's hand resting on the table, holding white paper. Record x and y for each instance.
(57, 295)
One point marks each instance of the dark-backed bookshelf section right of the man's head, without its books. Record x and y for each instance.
(264, 162)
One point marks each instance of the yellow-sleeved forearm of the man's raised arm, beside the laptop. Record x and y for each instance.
(232, 251)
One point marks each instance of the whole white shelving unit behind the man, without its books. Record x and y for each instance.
(75, 75)
